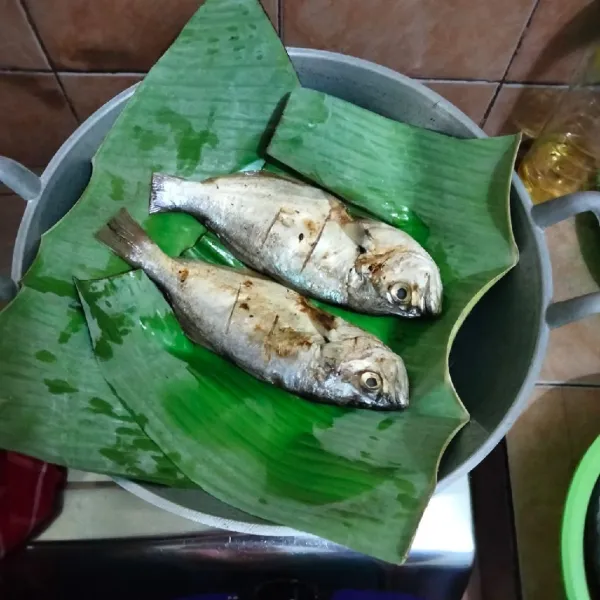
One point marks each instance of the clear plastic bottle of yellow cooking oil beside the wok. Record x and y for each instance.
(565, 158)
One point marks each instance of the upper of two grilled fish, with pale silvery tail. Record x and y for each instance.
(305, 238)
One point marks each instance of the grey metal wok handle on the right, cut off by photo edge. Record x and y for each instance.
(550, 213)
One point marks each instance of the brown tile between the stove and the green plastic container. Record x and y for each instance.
(544, 447)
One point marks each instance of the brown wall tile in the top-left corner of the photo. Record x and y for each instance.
(19, 48)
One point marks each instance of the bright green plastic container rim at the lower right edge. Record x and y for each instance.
(574, 523)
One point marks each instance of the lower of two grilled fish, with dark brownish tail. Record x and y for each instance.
(268, 330)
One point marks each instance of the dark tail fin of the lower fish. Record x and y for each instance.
(126, 238)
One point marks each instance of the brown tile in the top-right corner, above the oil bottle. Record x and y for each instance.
(552, 46)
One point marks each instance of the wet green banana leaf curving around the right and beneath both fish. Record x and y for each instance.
(356, 477)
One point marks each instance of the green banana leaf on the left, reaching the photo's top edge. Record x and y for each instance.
(206, 108)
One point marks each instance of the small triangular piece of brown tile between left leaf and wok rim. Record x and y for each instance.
(88, 92)
